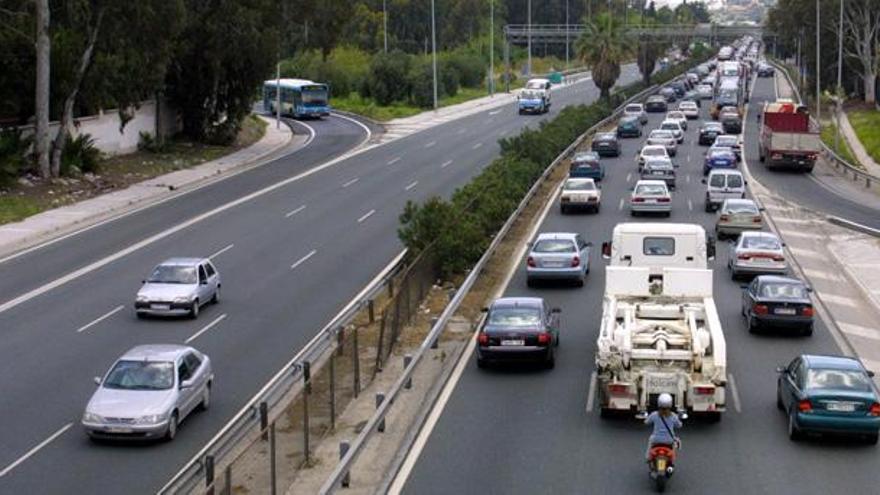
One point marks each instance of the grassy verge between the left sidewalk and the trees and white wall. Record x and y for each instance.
(18, 202)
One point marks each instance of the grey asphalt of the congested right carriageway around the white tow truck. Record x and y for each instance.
(523, 430)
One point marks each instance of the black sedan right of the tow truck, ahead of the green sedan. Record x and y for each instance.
(775, 302)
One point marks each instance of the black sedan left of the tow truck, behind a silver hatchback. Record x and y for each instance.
(518, 328)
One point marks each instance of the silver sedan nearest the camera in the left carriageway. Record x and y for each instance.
(148, 392)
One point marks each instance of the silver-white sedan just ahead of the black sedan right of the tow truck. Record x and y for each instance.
(756, 253)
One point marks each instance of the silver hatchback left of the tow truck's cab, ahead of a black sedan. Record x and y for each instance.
(558, 256)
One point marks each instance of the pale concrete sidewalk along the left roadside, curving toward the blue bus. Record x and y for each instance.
(163, 192)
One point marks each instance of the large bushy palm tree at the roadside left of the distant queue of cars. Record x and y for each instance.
(602, 47)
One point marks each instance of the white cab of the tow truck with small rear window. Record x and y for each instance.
(659, 245)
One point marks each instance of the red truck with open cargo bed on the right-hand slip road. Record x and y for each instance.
(787, 137)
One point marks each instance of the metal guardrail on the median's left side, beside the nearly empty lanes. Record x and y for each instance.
(247, 421)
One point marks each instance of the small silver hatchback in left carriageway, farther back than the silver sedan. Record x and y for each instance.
(179, 286)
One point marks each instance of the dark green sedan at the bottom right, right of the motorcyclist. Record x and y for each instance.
(828, 394)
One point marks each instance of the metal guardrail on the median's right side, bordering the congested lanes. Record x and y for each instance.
(357, 446)
